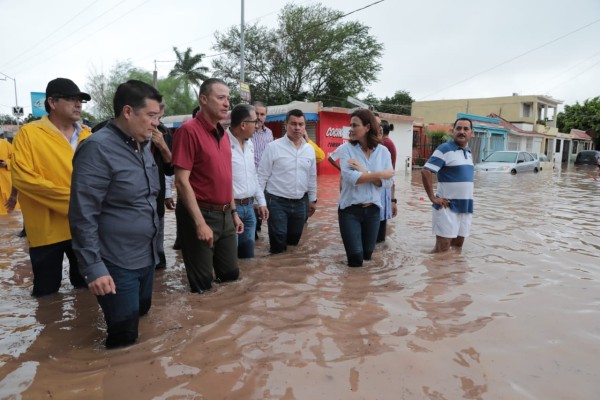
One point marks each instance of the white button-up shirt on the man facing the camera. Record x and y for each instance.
(288, 172)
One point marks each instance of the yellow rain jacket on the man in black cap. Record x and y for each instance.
(42, 163)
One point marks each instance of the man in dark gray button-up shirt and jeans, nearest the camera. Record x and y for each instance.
(112, 212)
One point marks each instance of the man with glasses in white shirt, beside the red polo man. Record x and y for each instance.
(246, 191)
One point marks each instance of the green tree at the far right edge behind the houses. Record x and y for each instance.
(585, 117)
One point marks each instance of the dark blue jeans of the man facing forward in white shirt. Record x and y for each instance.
(286, 221)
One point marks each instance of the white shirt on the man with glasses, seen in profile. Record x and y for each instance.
(245, 181)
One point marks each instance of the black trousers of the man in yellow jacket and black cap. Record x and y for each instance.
(46, 263)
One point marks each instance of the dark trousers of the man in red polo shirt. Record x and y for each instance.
(199, 259)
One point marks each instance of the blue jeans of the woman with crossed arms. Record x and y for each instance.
(359, 227)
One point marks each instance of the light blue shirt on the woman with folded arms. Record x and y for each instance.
(362, 193)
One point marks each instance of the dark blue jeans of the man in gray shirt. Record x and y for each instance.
(123, 309)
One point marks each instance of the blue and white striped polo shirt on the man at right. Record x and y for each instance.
(454, 168)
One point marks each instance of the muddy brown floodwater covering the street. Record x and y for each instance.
(516, 315)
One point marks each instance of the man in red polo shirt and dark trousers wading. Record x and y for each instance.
(207, 220)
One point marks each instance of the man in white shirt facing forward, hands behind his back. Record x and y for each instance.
(288, 173)
